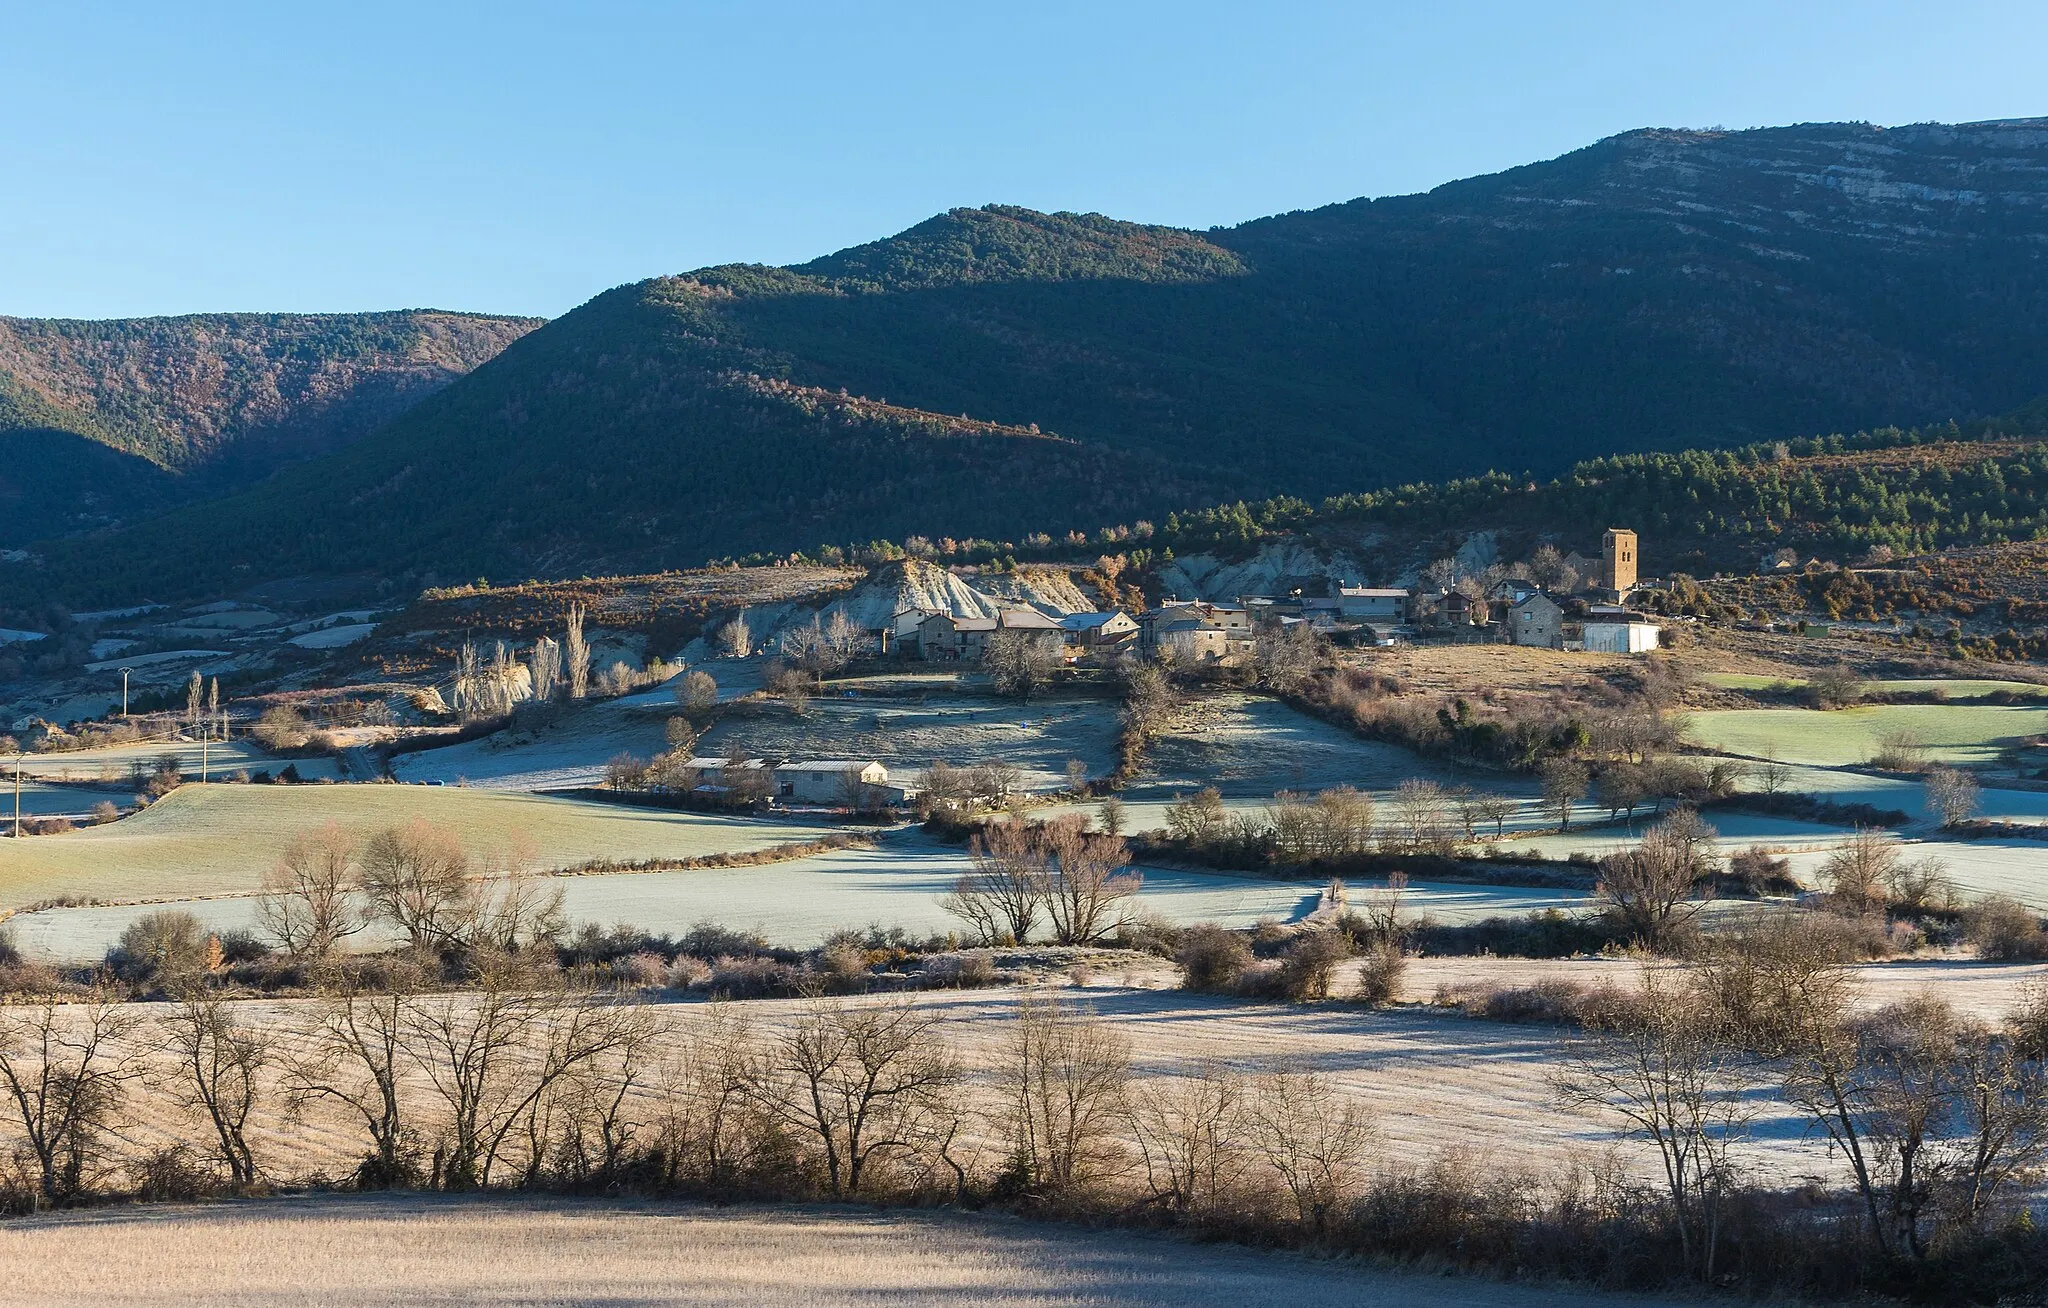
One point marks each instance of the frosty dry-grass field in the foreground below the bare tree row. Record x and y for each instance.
(550, 1252)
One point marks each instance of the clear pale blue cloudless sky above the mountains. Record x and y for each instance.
(357, 155)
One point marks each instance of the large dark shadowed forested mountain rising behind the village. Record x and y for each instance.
(998, 372)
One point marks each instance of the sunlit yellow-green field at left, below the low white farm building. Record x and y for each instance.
(218, 840)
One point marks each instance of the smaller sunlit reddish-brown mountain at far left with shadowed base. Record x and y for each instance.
(110, 421)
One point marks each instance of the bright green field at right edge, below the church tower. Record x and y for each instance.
(1953, 734)
